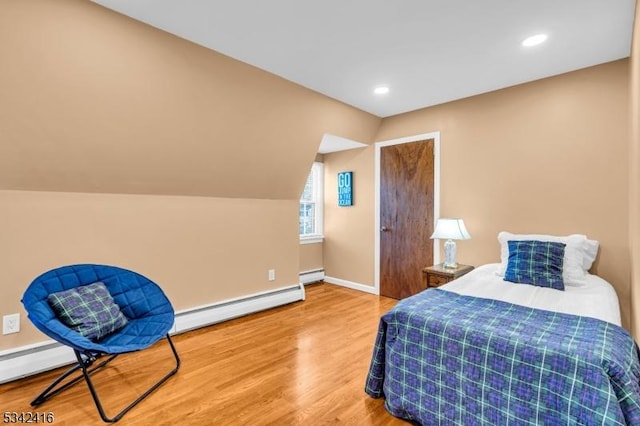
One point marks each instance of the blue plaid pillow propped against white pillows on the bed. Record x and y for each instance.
(536, 262)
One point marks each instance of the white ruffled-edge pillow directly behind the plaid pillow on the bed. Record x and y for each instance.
(573, 272)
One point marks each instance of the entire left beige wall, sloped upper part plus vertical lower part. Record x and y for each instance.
(208, 156)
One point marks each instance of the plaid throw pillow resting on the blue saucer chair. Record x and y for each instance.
(89, 310)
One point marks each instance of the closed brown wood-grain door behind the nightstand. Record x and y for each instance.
(406, 216)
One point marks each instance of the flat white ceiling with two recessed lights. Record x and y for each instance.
(427, 51)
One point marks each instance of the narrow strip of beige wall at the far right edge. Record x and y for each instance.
(634, 176)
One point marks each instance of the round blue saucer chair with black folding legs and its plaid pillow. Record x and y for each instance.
(143, 316)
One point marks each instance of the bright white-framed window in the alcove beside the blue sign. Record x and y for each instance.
(311, 206)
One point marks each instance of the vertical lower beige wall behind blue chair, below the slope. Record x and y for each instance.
(199, 249)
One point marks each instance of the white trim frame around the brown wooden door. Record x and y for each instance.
(436, 196)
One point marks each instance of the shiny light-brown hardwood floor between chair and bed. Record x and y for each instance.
(300, 364)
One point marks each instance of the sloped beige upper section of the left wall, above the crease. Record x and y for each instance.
(93, 101)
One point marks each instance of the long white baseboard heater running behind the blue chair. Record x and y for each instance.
(33, 359)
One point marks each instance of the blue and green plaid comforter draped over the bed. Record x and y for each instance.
(443, 358)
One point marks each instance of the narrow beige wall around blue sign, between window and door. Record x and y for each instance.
(349, 234)
